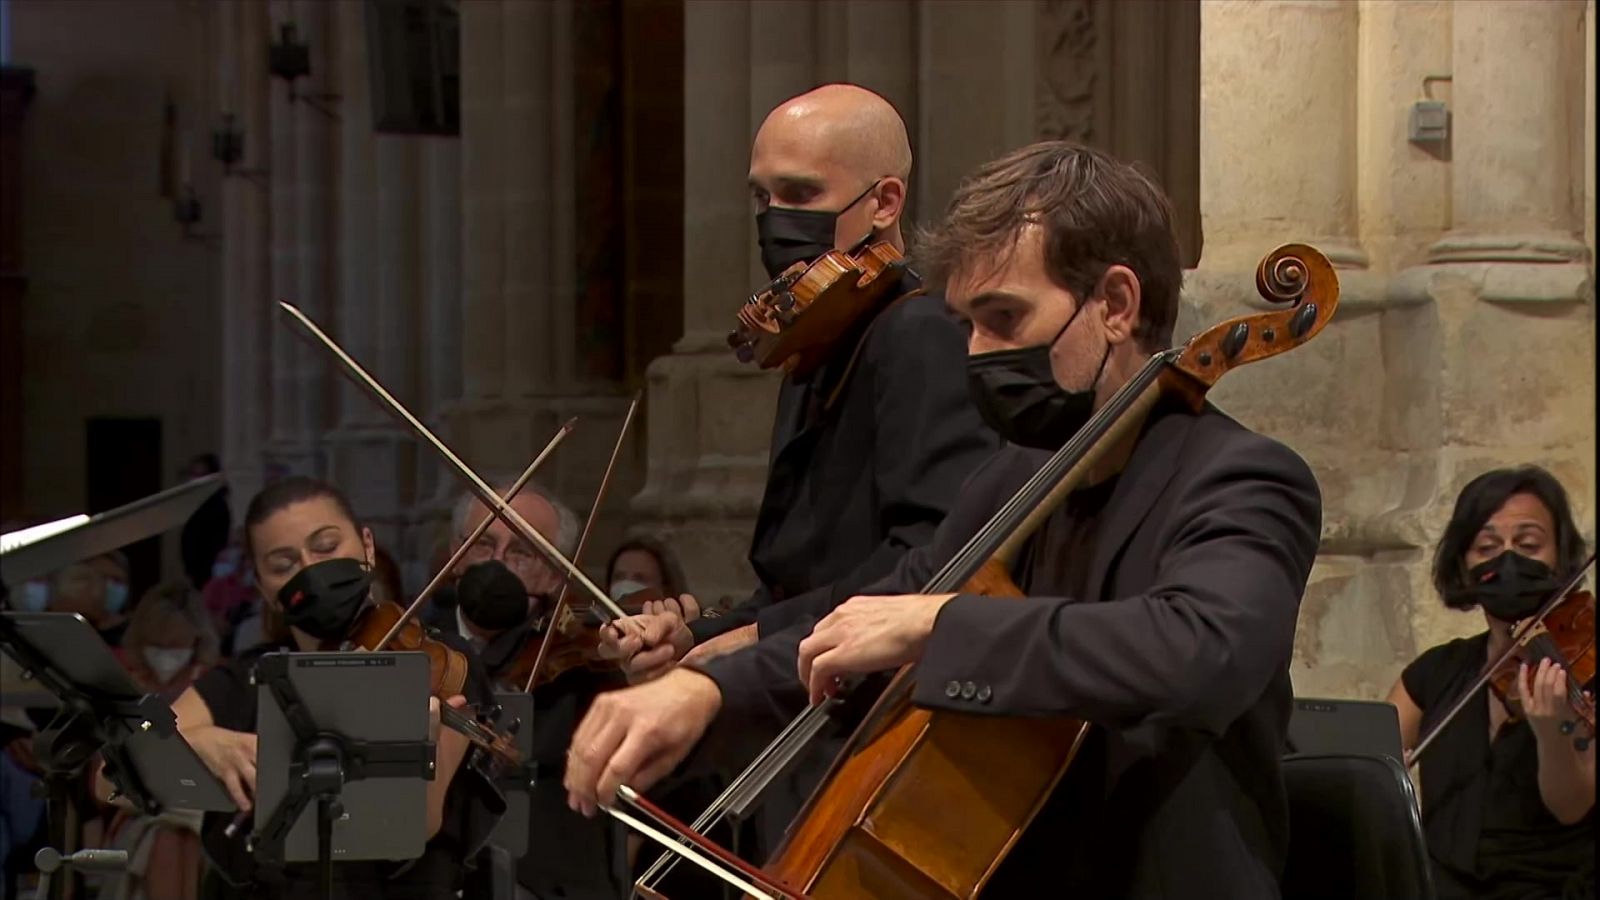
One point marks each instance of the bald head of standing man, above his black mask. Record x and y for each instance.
(825, 150)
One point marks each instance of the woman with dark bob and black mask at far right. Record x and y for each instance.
(1508, 805)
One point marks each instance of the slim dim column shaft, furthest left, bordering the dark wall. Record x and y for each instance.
(247, 411)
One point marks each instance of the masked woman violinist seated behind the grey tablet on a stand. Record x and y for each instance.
(297, 532)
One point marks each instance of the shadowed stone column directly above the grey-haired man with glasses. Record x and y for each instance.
(519, 262)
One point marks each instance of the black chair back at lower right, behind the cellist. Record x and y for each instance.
(1354, 830)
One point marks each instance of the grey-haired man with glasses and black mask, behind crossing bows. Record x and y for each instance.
(505, 595)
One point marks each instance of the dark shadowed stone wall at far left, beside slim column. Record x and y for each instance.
(121, 313)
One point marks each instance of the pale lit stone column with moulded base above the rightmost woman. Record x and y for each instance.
(1510, 286)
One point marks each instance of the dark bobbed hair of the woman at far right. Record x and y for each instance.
(1482, 499)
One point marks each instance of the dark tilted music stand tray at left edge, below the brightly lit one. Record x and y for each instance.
(102, 705)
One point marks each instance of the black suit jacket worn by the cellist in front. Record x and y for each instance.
(1178, 651)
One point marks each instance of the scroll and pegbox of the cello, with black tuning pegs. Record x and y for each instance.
(1297, 276)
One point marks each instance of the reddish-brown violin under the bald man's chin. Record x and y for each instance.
(798, 318)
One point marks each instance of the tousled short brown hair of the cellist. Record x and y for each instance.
(1097, 212)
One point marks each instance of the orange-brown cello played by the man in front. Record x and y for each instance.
(878, 826)
